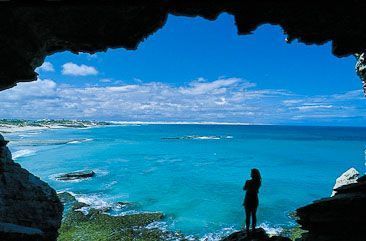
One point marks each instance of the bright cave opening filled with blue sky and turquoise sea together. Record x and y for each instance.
(284, 108)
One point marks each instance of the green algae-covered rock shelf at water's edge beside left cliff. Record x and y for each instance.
(98, 226)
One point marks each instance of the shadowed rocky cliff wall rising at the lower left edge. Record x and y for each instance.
(29, 207)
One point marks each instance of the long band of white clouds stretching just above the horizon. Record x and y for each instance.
(226, 100)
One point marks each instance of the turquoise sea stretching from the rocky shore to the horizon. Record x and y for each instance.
(194, 173)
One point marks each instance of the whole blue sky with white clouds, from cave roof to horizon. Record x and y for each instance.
(195, 70)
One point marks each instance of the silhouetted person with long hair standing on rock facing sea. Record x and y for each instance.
(251, 198)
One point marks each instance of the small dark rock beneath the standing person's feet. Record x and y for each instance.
(258, 235)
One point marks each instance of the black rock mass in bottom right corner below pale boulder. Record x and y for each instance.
(339, 218)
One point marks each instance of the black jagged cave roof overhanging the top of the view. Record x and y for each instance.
(29, 31)
